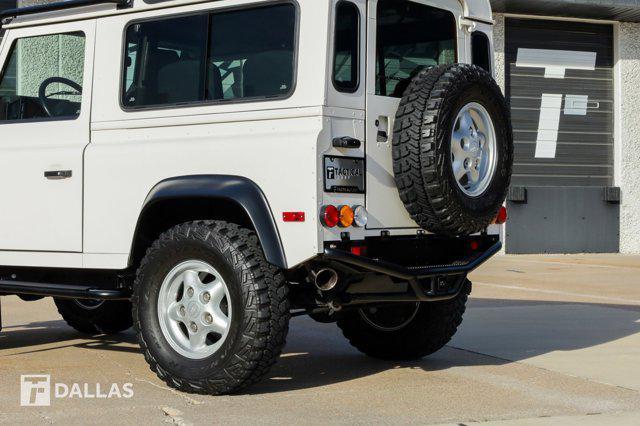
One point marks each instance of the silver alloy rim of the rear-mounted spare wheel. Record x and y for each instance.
(473, 149)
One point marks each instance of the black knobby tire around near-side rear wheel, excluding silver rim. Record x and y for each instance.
(258, 297)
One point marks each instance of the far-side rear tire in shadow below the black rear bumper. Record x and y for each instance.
(406, 331)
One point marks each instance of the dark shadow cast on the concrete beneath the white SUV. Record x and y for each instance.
(317, 354)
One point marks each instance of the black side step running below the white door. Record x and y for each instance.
(65, 291)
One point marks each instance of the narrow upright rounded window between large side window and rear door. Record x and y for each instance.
(346, 63)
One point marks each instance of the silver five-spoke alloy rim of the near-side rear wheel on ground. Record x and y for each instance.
(194, 309)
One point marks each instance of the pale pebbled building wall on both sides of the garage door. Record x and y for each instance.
(628, 124)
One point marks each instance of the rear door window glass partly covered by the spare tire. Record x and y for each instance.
(410, 37)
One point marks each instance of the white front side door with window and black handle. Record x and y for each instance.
(45, 92)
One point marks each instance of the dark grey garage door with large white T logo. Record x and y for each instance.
(560, 84)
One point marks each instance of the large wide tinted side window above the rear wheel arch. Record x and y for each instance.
(222, 56)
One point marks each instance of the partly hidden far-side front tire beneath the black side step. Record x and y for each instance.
(96, 317)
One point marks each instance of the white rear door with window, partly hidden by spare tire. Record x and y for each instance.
(402, 39)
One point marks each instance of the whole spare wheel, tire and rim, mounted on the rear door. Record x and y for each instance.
(453, 149)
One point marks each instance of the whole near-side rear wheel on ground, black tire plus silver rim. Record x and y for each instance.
(254, 310)
